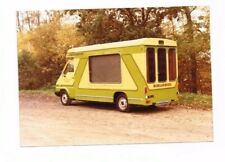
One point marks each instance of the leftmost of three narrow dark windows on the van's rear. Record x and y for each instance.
(150, 65)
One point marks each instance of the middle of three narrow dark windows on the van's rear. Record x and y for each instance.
(161, 64)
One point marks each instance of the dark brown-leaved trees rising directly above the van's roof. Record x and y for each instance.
(110, 25)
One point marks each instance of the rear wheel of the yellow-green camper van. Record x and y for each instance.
(122, 103)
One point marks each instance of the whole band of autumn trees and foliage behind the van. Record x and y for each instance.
(45, 36)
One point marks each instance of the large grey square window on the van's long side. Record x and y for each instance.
(105, 69)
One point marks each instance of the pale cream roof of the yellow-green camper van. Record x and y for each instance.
(136, 42)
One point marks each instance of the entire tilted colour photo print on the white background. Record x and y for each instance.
(114, 76)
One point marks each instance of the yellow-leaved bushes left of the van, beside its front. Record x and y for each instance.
(42, 53)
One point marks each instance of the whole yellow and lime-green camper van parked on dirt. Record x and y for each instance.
(140, 72)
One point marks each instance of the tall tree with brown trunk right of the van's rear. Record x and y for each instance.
(195, 43)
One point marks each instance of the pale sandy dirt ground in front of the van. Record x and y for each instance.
(45, 122)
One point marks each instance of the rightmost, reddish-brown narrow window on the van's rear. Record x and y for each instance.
(172, 64)
